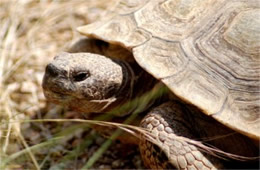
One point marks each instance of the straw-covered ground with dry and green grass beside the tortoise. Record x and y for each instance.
(31, 33)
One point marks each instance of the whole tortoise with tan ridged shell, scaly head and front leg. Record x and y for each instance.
(206, 53)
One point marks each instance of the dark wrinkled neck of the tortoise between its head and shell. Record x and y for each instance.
(136, 82)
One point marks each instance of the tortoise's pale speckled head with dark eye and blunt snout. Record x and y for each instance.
(84, 81)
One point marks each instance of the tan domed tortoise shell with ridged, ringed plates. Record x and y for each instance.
(206, 51)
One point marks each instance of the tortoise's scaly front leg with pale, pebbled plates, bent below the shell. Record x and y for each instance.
(168, 123)
